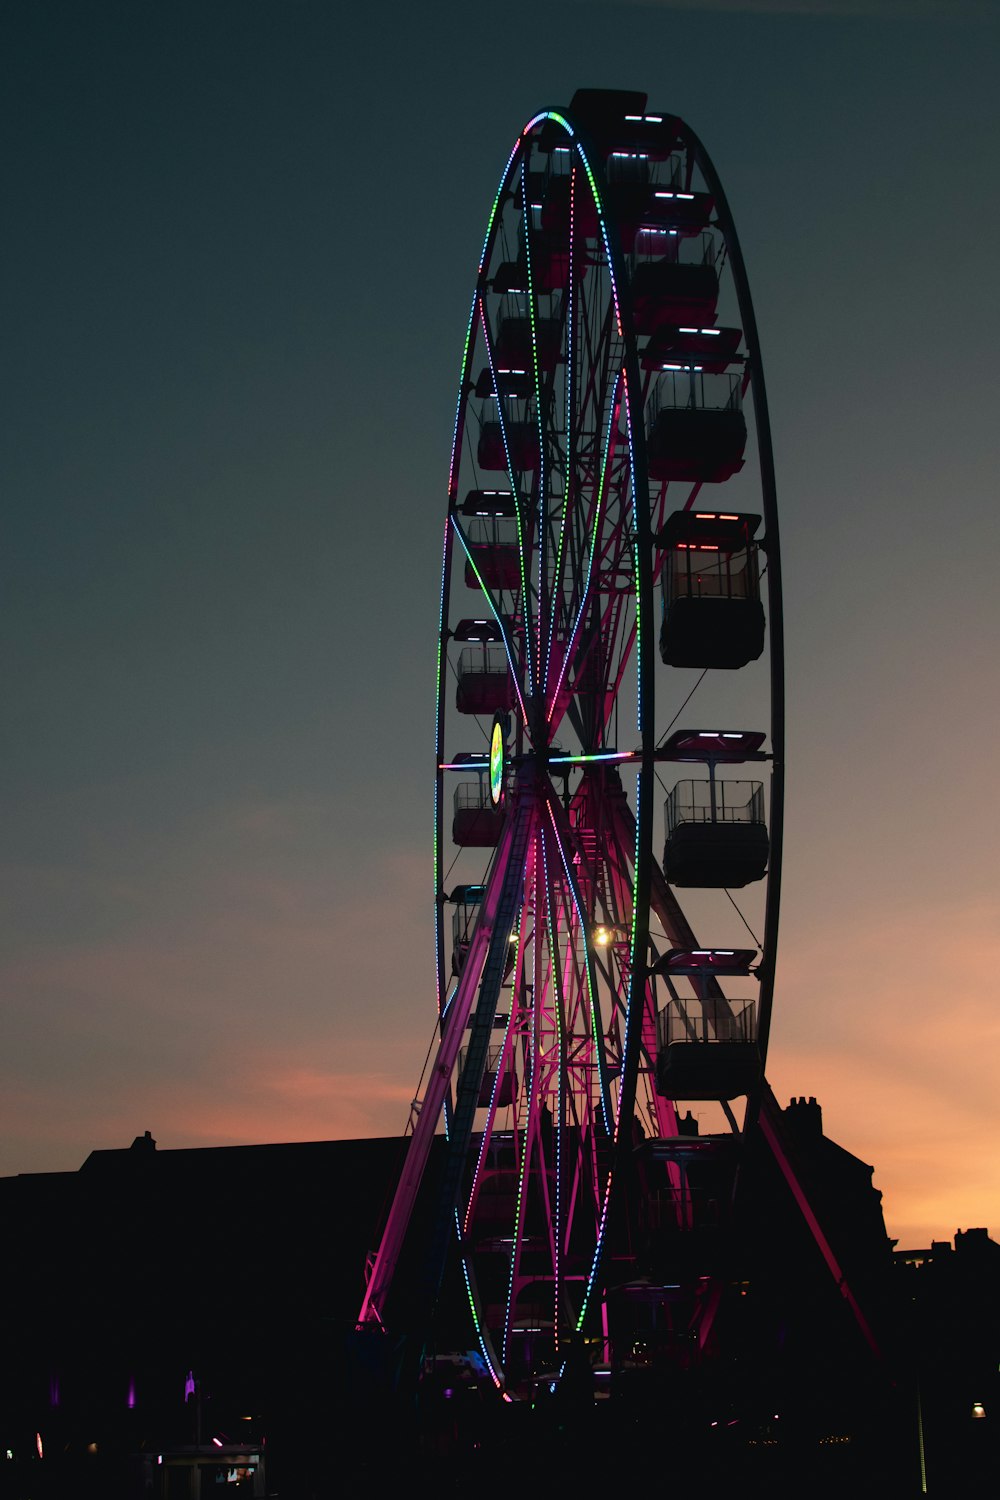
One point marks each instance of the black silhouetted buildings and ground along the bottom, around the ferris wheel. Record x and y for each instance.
(182, 1324)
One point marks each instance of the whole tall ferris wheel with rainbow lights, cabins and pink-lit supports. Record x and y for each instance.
(609, 754)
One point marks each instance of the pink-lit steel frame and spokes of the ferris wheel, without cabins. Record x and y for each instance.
(548, 1018)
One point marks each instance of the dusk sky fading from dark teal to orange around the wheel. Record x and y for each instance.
(239, 250)
